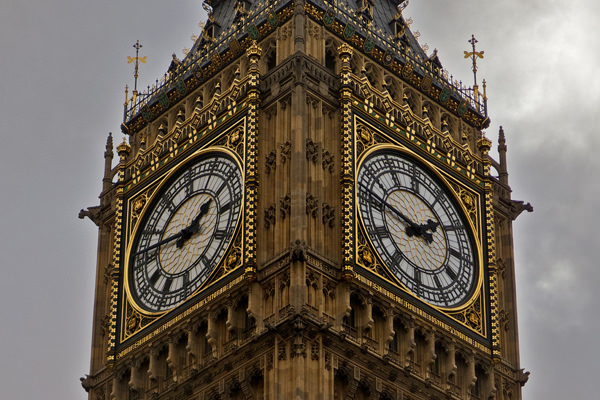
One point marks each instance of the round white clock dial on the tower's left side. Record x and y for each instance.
(185, 232)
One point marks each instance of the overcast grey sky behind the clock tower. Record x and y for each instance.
(63, 70)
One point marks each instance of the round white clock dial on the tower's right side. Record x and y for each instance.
(416, 228)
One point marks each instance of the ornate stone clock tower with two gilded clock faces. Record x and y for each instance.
(305, 208)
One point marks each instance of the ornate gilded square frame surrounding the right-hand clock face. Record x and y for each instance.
(464, 185)
